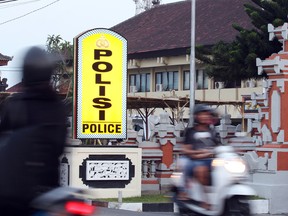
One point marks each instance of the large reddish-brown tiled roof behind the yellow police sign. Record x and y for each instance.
(168, 26)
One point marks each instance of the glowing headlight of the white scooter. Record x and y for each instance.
(235, 165)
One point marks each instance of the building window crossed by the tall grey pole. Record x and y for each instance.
(201, 80)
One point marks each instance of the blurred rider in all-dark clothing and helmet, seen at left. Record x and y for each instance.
(35, 120)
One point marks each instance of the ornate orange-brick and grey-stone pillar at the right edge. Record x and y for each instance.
(269, 129)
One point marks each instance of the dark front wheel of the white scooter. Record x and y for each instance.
(237, 206)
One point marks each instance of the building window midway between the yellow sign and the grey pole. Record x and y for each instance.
(168, 80)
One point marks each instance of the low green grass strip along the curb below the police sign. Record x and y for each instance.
(159, 198)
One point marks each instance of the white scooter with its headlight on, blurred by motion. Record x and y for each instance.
(228, 192)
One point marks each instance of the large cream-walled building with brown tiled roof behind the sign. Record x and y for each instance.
(159, 42)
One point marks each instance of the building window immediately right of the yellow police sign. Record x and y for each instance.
(140, 81)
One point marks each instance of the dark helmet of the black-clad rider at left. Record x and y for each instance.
(37, 67)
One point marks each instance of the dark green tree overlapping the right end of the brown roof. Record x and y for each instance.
(237, 60)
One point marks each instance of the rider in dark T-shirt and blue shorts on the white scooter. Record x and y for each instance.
(199, 140)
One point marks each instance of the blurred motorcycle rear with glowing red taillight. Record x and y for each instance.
(64, 201)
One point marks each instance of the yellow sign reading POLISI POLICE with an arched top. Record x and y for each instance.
(100, 67)
